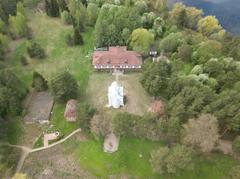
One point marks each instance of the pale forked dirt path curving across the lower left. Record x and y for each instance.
(26, 150)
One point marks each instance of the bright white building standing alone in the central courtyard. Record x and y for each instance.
(115, 95)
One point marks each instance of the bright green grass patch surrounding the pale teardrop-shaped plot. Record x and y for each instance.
(126, 161)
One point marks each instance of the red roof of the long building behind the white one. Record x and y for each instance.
(117, 56)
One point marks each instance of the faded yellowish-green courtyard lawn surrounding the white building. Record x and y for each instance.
(137, 100)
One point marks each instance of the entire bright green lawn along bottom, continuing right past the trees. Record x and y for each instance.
(127, 161)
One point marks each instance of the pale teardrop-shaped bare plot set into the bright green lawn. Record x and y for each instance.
(111, 143)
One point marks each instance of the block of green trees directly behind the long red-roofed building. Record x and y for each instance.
(112, 24)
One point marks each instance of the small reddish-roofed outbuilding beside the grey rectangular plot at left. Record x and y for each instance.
(71, 110)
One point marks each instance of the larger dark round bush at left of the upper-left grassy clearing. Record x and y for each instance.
(36, 51)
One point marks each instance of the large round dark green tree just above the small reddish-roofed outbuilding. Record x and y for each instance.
(64, 86)
